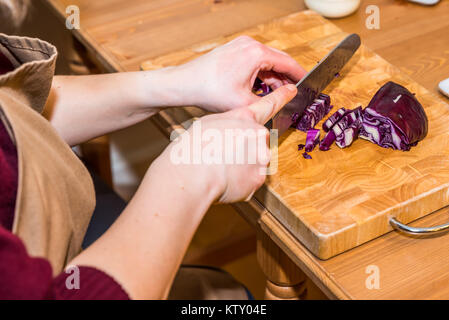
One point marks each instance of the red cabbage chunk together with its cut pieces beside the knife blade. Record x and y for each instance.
(393, 119)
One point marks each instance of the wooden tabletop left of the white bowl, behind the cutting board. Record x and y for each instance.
(122, 34)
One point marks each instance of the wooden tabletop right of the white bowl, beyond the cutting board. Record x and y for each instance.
(410, 36)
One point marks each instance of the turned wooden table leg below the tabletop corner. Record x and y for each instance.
(285, 281)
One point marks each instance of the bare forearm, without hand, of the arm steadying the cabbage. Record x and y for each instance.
(85, 107)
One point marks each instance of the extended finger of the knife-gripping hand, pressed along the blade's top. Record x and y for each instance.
(264, 109)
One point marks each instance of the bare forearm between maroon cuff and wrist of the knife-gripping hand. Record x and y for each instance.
(144, 248)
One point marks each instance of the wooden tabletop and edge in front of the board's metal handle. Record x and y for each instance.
(408, 268)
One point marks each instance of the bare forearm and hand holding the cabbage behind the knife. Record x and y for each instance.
(84, 107)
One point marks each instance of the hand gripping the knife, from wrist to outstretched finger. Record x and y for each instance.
(197, 158)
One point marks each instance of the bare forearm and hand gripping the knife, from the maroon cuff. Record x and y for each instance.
(145, 246)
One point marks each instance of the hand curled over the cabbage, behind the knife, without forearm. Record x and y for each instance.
(223, 79)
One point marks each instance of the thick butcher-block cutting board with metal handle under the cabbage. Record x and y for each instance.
(345, 197)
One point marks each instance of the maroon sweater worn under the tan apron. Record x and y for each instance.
(24, 277)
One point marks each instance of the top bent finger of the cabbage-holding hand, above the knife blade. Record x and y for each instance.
(282, 63)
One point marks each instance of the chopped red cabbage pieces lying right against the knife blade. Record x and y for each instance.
(313, 113)
